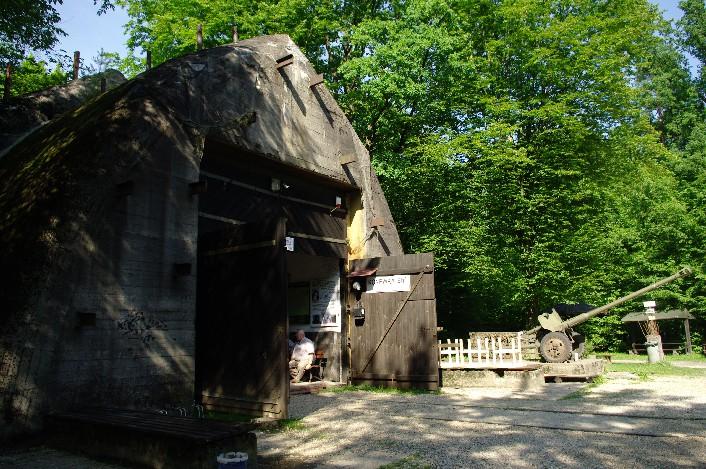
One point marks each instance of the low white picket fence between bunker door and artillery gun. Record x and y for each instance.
(488, 352)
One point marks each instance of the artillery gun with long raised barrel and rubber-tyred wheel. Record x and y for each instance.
(557, 340)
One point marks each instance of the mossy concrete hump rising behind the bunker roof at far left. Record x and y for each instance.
(25, 113)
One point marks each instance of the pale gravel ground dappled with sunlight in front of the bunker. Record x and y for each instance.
(623, 422)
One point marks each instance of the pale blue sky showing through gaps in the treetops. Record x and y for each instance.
(88, 32)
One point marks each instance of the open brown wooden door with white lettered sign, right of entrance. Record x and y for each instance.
(395, 345)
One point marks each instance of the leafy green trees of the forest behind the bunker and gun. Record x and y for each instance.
(546, 151)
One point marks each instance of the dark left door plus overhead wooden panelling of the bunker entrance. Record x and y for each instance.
(253, 212)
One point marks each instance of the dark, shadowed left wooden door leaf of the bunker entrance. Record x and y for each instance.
(241, 320)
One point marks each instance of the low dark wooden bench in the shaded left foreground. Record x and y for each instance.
(149, 439)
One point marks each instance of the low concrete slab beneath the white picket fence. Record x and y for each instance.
(511, 379)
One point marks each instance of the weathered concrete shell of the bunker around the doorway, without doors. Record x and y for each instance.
(96, 211)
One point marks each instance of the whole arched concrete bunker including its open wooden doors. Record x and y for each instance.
(146, 238)
